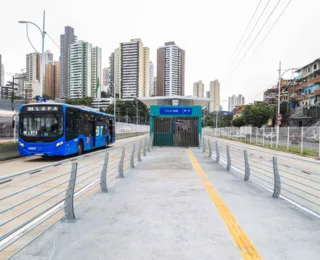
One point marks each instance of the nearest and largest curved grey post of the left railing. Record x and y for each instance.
(68, 202)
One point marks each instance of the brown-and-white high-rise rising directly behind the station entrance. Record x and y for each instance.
(170, 70)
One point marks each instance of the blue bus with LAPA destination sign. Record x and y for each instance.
(60, 129)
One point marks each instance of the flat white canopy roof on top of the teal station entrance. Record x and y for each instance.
(175, 101)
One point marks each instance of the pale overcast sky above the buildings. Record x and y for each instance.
(208, 30)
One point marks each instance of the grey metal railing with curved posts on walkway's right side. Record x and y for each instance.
(291, 177)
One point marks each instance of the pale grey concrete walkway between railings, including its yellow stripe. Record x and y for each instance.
(166, 208)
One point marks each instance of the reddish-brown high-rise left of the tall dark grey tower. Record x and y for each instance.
(52, 80)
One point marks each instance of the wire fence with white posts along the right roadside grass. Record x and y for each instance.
(302, 140)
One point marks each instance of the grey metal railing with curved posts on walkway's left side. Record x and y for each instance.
(41, 200)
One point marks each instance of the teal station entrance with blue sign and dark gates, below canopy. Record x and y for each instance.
(175, 126)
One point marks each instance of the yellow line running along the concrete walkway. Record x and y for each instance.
(246, 247)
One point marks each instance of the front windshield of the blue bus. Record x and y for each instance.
(44, 125)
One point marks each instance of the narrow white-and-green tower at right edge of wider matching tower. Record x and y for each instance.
(96, 60)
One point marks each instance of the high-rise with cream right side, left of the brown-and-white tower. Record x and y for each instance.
(134, 69)
